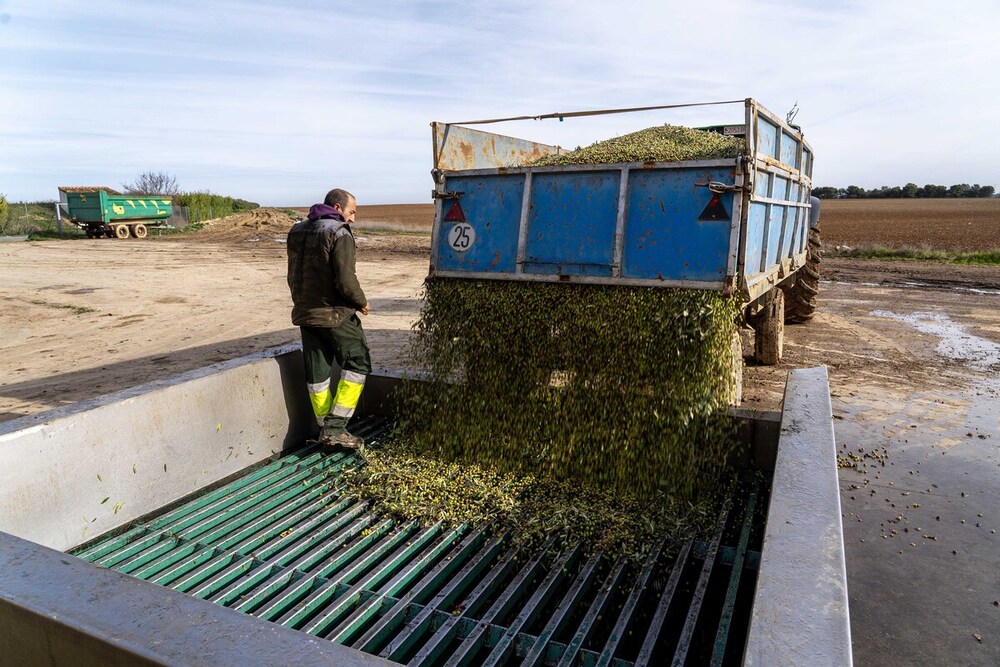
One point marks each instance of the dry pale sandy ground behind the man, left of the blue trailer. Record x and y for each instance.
(89, 317)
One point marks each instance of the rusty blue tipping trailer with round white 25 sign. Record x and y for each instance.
(739, 225)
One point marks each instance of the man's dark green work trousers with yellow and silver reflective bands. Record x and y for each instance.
(345, 345)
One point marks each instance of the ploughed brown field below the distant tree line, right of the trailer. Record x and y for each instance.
(940, 224)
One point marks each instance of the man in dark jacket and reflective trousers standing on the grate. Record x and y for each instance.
(326, 298)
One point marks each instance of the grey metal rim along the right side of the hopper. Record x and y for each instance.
(800, 612)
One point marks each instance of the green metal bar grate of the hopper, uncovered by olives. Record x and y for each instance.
(286, 544)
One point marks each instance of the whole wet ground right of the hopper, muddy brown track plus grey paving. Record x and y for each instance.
(916, 400)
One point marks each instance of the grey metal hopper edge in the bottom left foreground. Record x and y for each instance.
(86, 615)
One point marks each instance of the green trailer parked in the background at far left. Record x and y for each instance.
(101, 211)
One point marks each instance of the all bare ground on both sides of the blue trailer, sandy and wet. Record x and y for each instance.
(912, 349)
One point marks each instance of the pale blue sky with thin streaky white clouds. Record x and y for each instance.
(277, 101)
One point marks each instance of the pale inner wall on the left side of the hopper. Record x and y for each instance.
(71, 474)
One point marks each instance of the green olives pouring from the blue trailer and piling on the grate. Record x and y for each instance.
(596, 413)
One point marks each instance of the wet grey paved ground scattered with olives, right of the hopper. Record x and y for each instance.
(923, 555)
